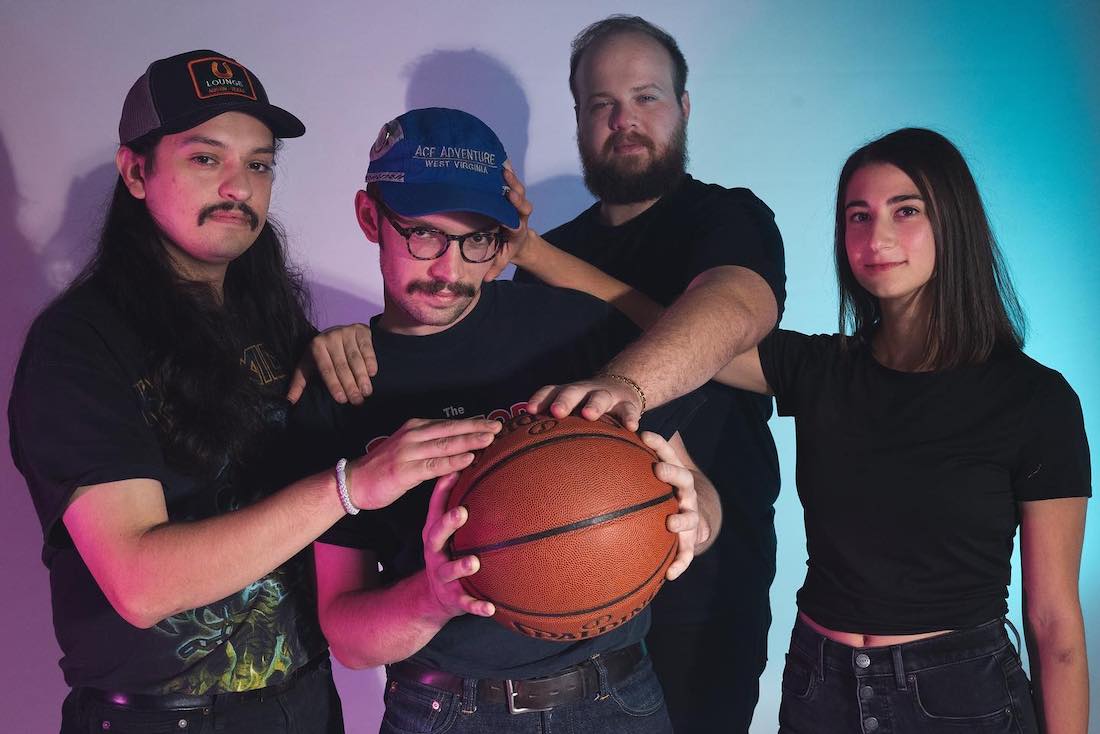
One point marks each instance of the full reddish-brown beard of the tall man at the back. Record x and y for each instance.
(615, 180)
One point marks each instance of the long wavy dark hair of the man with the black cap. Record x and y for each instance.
(211, 408)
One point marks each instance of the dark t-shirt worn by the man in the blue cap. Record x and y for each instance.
(516, 339)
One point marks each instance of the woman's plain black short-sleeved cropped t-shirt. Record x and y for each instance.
(910, 481)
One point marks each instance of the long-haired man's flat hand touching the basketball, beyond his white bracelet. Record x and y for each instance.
(421, 451)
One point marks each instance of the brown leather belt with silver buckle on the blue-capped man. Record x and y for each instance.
(577, 684)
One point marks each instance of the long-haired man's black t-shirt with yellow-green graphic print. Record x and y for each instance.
(83, 412)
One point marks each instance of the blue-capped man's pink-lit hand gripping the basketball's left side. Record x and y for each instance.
(444, 574)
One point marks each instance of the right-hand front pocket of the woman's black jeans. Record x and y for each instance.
(966, 693)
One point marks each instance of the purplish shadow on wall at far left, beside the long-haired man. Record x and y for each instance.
(34, 275)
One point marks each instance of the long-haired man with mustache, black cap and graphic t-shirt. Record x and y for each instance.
(148, 414)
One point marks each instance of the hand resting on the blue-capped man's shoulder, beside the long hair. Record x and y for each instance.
(344, 357)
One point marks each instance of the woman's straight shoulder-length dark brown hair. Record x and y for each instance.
(974, 309)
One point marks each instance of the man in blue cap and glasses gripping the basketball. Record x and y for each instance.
(454, 344)
